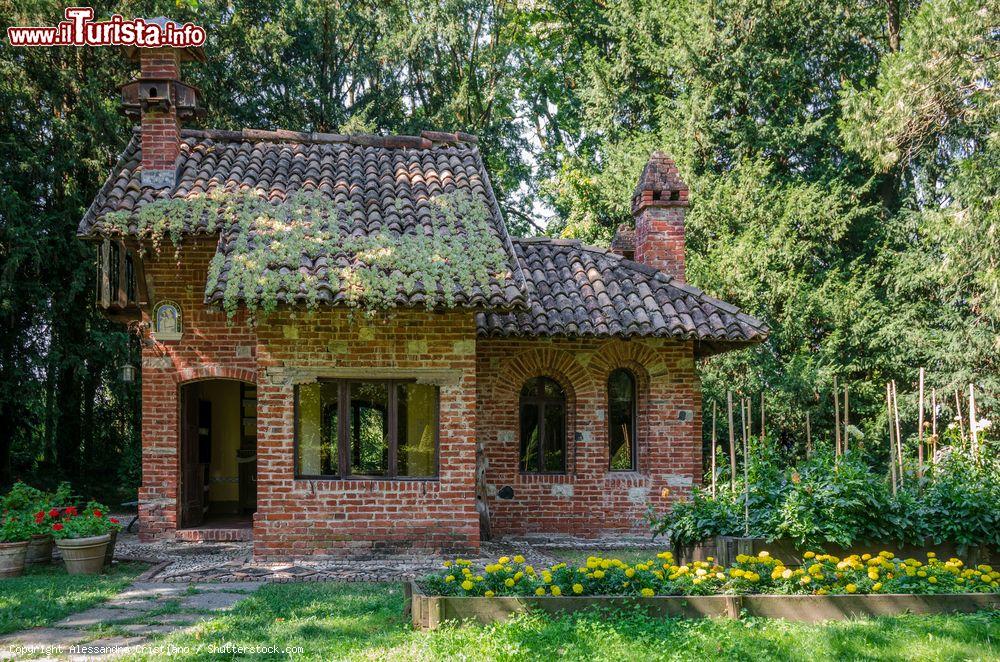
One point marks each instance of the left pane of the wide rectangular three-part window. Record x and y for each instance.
(317, 430)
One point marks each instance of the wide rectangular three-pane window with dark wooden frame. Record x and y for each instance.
(373, 429)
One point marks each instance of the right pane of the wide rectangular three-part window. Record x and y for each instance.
(416, 426)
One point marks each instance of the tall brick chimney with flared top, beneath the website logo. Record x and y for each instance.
(159, 100)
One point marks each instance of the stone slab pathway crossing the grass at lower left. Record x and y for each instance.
(139, 615)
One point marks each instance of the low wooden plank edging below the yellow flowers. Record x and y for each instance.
(428, 612)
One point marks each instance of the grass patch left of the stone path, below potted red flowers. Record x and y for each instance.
(44, 595)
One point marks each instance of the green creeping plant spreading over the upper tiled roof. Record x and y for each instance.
(269, 241)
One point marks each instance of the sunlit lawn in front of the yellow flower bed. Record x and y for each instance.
(364, 622)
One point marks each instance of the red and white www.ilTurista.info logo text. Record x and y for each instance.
(80, 29)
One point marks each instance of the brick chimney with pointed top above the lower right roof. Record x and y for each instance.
(658, 206)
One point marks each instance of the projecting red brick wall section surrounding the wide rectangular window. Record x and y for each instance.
(364, 517)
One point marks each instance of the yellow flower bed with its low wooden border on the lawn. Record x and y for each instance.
(828, 587)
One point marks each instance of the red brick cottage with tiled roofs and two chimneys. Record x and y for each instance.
(559, 396)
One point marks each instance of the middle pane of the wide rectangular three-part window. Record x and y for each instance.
(369, 429)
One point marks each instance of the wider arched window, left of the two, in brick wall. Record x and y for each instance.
(543, 426)
